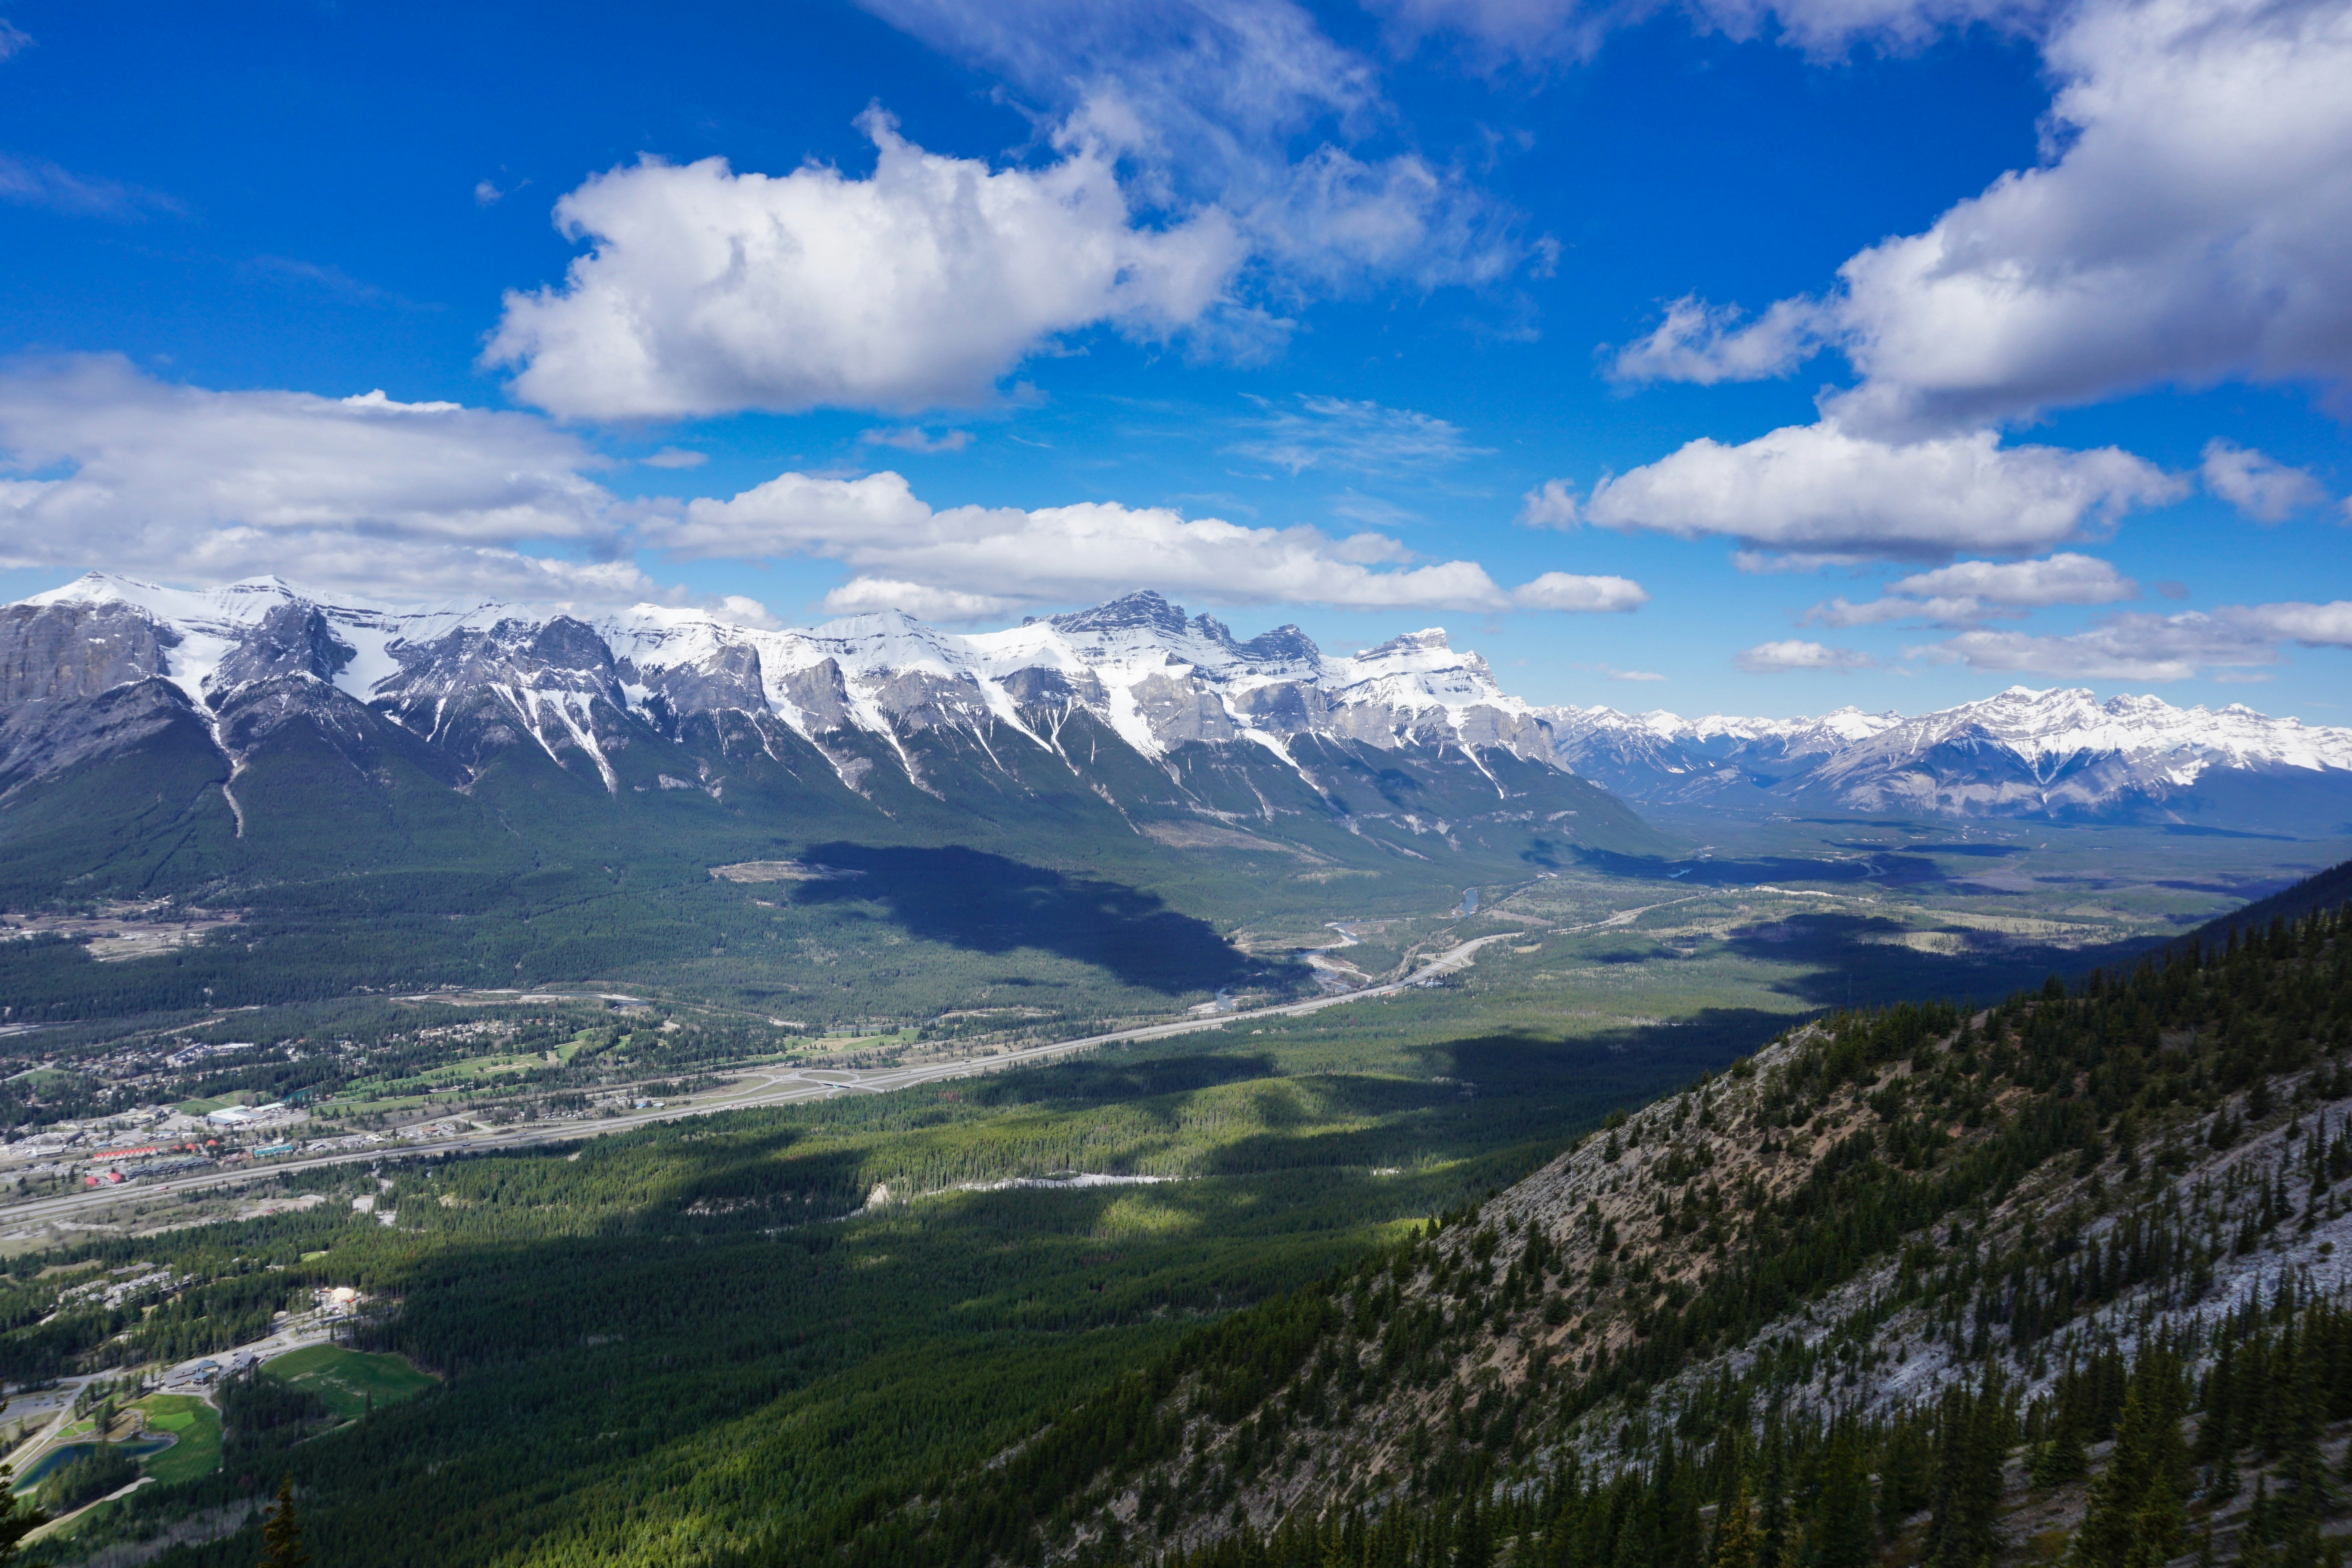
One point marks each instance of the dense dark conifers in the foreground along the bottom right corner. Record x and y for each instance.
(1838, 1494)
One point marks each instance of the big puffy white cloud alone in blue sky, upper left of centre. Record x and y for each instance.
(921, 286)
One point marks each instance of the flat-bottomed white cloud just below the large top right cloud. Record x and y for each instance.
(1824, 490)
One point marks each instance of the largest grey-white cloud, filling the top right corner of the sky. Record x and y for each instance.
(2191, 225)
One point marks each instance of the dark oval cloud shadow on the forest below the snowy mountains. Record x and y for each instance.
(991, 904)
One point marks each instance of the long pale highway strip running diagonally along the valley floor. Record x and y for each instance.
(759, 1087)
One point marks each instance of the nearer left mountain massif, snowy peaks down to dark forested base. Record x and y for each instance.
(258, 732)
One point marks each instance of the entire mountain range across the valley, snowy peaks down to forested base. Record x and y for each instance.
(145, 723)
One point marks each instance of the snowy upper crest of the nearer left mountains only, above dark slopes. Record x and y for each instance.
(1140, 664)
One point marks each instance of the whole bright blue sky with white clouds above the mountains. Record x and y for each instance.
(1749, 359)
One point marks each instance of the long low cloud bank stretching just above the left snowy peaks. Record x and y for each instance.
(105, 467)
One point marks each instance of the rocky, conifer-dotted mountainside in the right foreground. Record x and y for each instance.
(1892, 1282)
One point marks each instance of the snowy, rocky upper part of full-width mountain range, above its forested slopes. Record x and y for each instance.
(474, 678)
